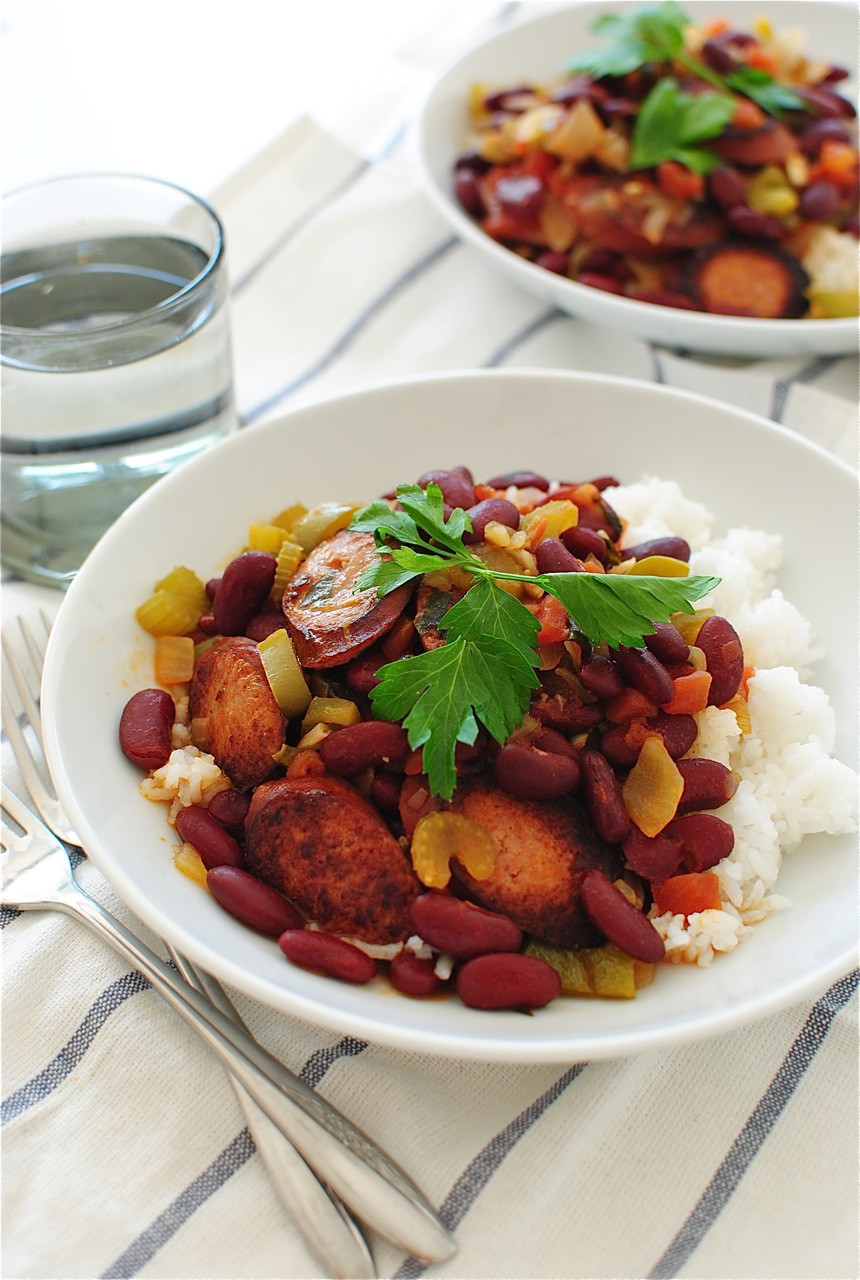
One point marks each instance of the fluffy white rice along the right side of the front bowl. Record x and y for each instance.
(789, 784)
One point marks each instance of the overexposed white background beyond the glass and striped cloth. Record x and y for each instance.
(189, 90)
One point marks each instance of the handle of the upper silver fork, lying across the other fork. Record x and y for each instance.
(354, 1167)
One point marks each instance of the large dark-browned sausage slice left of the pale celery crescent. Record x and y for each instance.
(326, 848)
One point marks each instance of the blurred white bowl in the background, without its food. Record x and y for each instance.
(536, 52)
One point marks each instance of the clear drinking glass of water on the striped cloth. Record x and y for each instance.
(116, 359)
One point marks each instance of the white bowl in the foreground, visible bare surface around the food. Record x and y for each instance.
(747, 470)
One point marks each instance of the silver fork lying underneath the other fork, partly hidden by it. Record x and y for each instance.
(327, 1226)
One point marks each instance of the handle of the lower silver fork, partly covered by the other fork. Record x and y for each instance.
(326, 1224)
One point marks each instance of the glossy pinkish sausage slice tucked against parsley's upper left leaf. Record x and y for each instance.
(331, 621)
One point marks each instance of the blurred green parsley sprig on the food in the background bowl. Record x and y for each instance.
(671, 124)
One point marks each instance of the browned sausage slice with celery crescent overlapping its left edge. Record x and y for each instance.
(546, 848)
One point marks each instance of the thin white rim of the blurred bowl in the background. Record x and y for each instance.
(609, 307)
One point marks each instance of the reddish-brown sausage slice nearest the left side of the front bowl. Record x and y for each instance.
(234, 712)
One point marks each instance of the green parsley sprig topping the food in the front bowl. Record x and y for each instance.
(487, 670)
